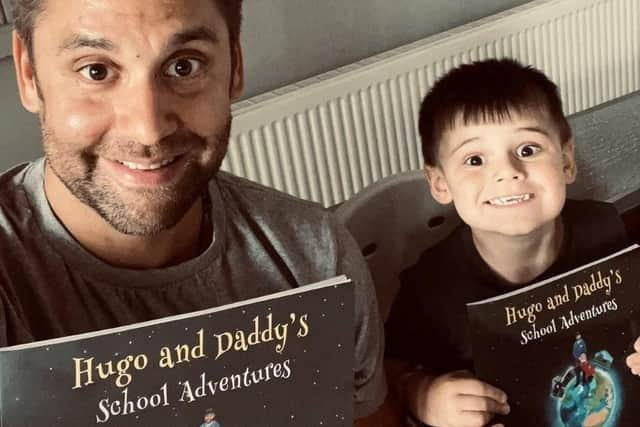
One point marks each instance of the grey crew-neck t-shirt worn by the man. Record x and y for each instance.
(263, 241)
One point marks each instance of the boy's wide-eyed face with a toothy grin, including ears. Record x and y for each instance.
(507, 178)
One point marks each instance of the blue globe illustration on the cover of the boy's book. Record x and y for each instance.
(588, 405)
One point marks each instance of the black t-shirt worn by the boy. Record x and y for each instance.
(428, 323)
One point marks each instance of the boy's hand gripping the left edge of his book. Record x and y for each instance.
(458, 399)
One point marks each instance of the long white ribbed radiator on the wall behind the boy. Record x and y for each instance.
(327, 137)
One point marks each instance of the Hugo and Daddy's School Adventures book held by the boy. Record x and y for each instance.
(558, 347)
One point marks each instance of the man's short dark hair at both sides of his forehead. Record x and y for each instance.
(25, 13)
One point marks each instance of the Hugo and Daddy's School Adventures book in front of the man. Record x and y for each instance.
(285, 359)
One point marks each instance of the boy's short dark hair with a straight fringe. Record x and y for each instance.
(486, 91)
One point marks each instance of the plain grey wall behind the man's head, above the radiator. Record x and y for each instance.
(284, 41)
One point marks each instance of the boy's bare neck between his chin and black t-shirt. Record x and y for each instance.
(520, 259)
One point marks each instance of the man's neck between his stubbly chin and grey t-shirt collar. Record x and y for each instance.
(169, 247)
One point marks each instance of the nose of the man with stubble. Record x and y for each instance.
(145, 112)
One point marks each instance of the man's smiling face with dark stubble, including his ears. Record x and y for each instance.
(134, 100)
